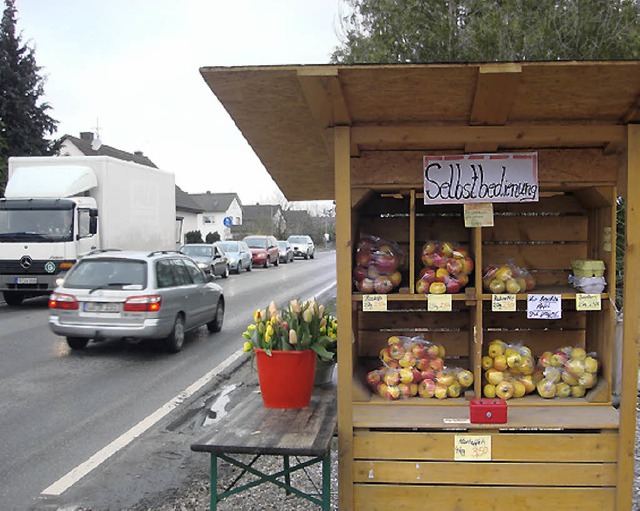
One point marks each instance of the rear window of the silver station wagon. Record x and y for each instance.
(91, 273)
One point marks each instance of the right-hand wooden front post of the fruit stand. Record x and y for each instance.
(631, 324)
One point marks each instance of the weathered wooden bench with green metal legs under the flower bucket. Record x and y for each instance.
(250, 428)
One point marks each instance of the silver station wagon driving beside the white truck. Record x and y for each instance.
(135, 295)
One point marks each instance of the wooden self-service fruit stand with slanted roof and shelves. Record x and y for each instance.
(357, 135)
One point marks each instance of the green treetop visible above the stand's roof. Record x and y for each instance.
(397, 31)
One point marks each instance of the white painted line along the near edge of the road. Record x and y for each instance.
(68, 480)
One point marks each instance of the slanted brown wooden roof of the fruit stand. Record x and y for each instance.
(286, 112)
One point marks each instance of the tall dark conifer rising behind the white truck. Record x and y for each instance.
(24, 117)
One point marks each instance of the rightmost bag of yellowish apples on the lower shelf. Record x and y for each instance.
(566, 372)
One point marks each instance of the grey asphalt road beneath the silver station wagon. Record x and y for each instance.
(66, 417)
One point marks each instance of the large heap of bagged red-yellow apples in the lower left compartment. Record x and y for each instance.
(414, 367)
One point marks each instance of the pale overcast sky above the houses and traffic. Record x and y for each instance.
(131, 67)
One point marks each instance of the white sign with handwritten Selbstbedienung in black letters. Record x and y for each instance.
(499, 177)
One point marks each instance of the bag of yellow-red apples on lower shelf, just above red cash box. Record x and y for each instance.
(508, 370)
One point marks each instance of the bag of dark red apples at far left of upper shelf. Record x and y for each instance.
(377, 265)
